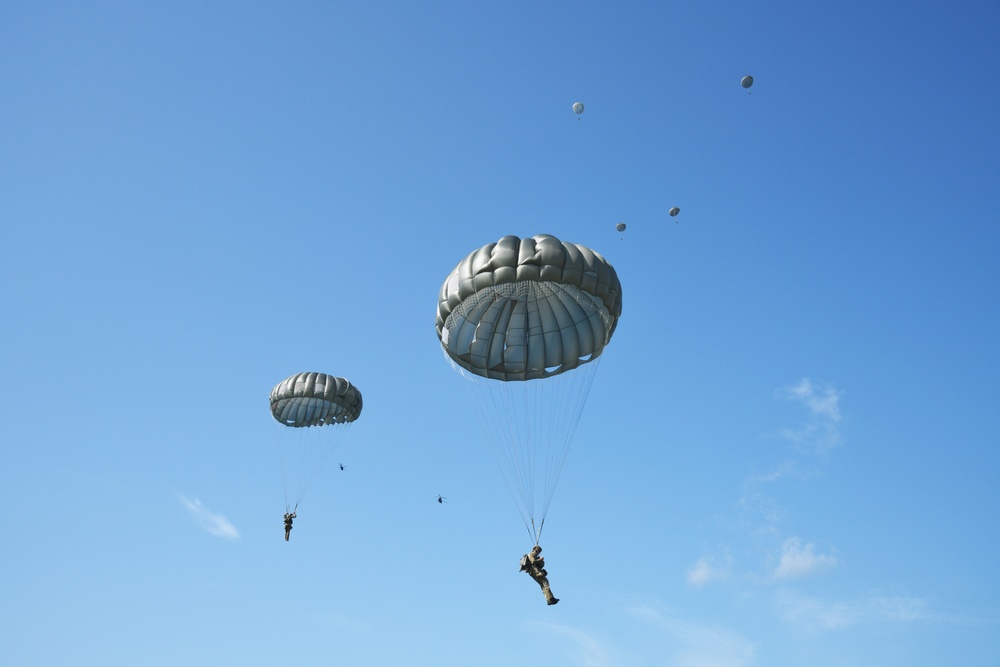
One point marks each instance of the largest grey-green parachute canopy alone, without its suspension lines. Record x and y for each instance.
(523, 309)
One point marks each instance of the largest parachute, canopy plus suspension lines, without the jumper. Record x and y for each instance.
(525, 321)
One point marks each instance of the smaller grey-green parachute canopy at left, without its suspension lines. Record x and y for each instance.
(315, 399)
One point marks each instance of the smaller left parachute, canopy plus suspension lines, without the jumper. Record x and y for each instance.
(316, 410)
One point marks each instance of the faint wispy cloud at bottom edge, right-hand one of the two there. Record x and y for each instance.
(695, 645)
